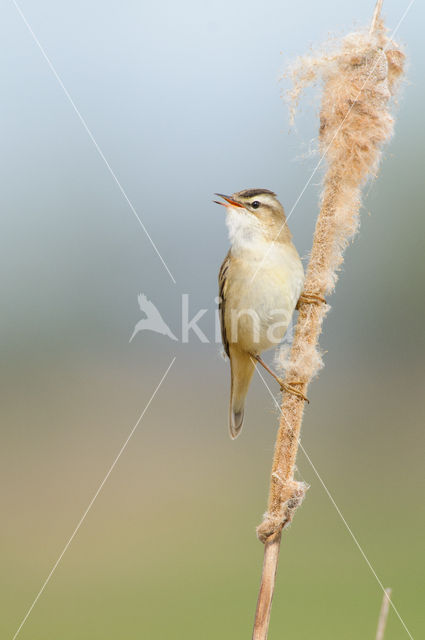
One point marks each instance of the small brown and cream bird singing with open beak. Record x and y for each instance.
(260, 282)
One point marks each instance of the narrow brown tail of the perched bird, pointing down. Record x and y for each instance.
(241, 371)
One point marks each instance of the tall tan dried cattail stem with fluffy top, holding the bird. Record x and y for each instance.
(358, 82)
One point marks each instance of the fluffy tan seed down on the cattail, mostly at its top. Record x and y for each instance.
(359, 76)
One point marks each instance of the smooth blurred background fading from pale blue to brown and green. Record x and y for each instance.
(184, 99)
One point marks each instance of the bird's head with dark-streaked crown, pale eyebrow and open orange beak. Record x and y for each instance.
(262, 208)
